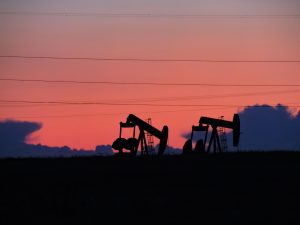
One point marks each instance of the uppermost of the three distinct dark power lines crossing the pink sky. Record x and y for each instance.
(148, 59)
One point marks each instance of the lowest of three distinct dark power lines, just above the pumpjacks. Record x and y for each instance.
(135, 104)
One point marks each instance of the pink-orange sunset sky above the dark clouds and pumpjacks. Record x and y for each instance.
(175, 38)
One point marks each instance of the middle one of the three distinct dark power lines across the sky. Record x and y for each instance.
(148, 83)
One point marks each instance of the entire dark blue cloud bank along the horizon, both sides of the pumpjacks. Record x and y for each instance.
(263, 128)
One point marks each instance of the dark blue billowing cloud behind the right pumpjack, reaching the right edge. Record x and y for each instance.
(267, 128)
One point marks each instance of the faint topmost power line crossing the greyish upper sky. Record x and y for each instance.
(152, 15)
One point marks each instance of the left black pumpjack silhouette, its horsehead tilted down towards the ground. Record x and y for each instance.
(132, 144)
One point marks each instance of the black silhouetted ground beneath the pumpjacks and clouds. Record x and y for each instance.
(239, 188)
